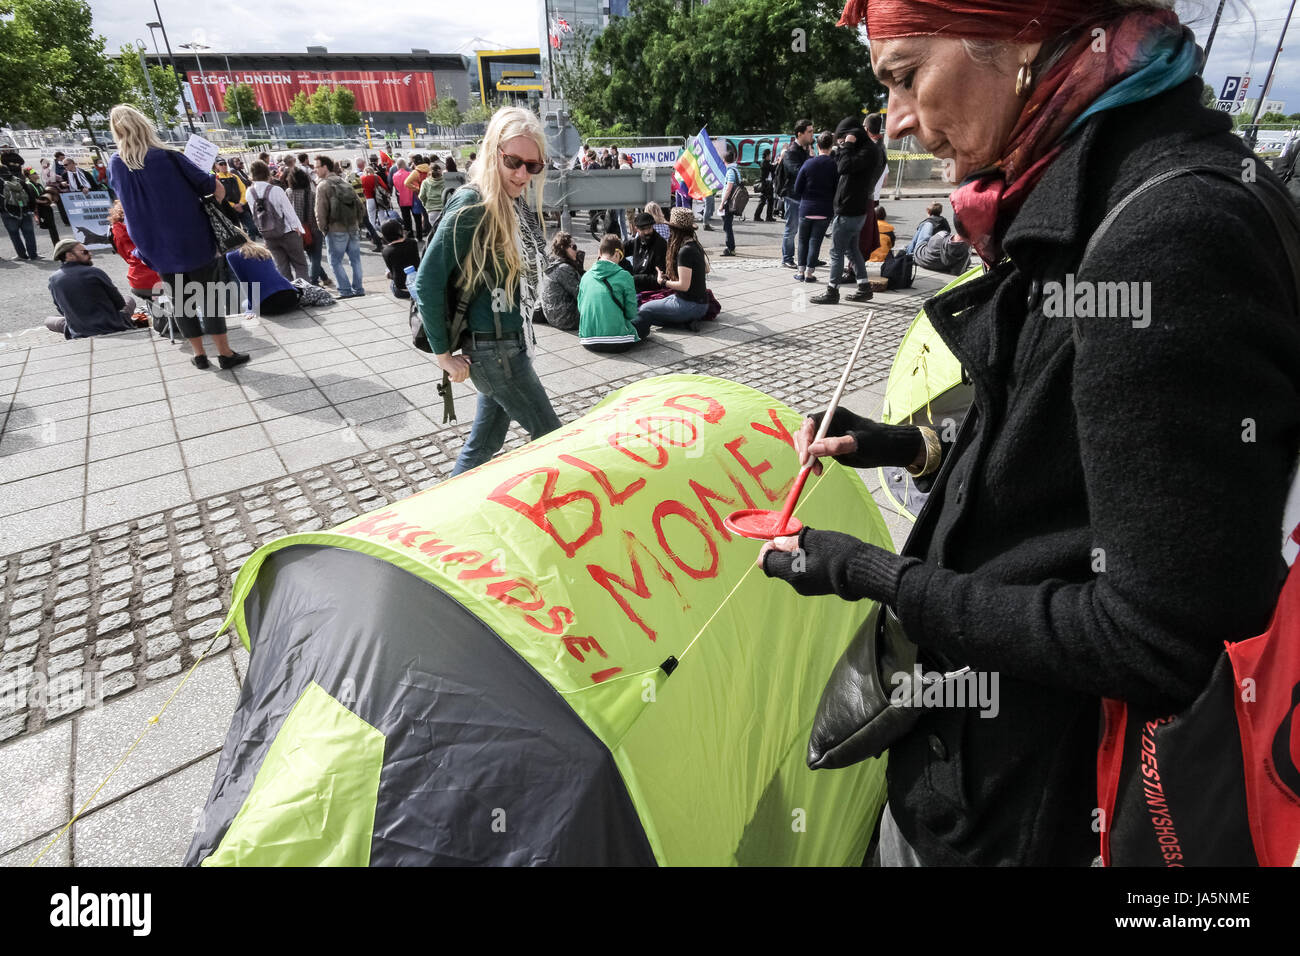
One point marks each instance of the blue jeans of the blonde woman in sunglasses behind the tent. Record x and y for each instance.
(509, 390)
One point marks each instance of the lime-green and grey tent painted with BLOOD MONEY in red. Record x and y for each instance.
(560, 657)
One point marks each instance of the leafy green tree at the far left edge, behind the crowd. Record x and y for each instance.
(53, 66)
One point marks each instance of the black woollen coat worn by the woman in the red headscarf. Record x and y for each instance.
(1112, 509)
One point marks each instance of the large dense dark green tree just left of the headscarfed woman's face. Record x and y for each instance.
(665, 66)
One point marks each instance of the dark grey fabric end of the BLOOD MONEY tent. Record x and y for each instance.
(484, 763)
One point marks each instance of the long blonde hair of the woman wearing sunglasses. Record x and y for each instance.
(497, 239)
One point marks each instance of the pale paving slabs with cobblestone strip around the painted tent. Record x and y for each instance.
(98, 625)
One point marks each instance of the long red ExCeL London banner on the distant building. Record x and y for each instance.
(375, 90)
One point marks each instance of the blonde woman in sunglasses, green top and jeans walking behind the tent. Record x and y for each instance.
(489, 252)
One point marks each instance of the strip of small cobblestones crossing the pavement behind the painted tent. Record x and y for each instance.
(97, 616)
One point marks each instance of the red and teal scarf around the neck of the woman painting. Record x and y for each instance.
(1147, 53)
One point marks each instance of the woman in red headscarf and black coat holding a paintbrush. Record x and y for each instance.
(1086, 535)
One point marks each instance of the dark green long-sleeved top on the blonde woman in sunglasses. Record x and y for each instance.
(441, 267)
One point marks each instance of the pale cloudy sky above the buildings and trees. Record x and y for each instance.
(1246, 40)
